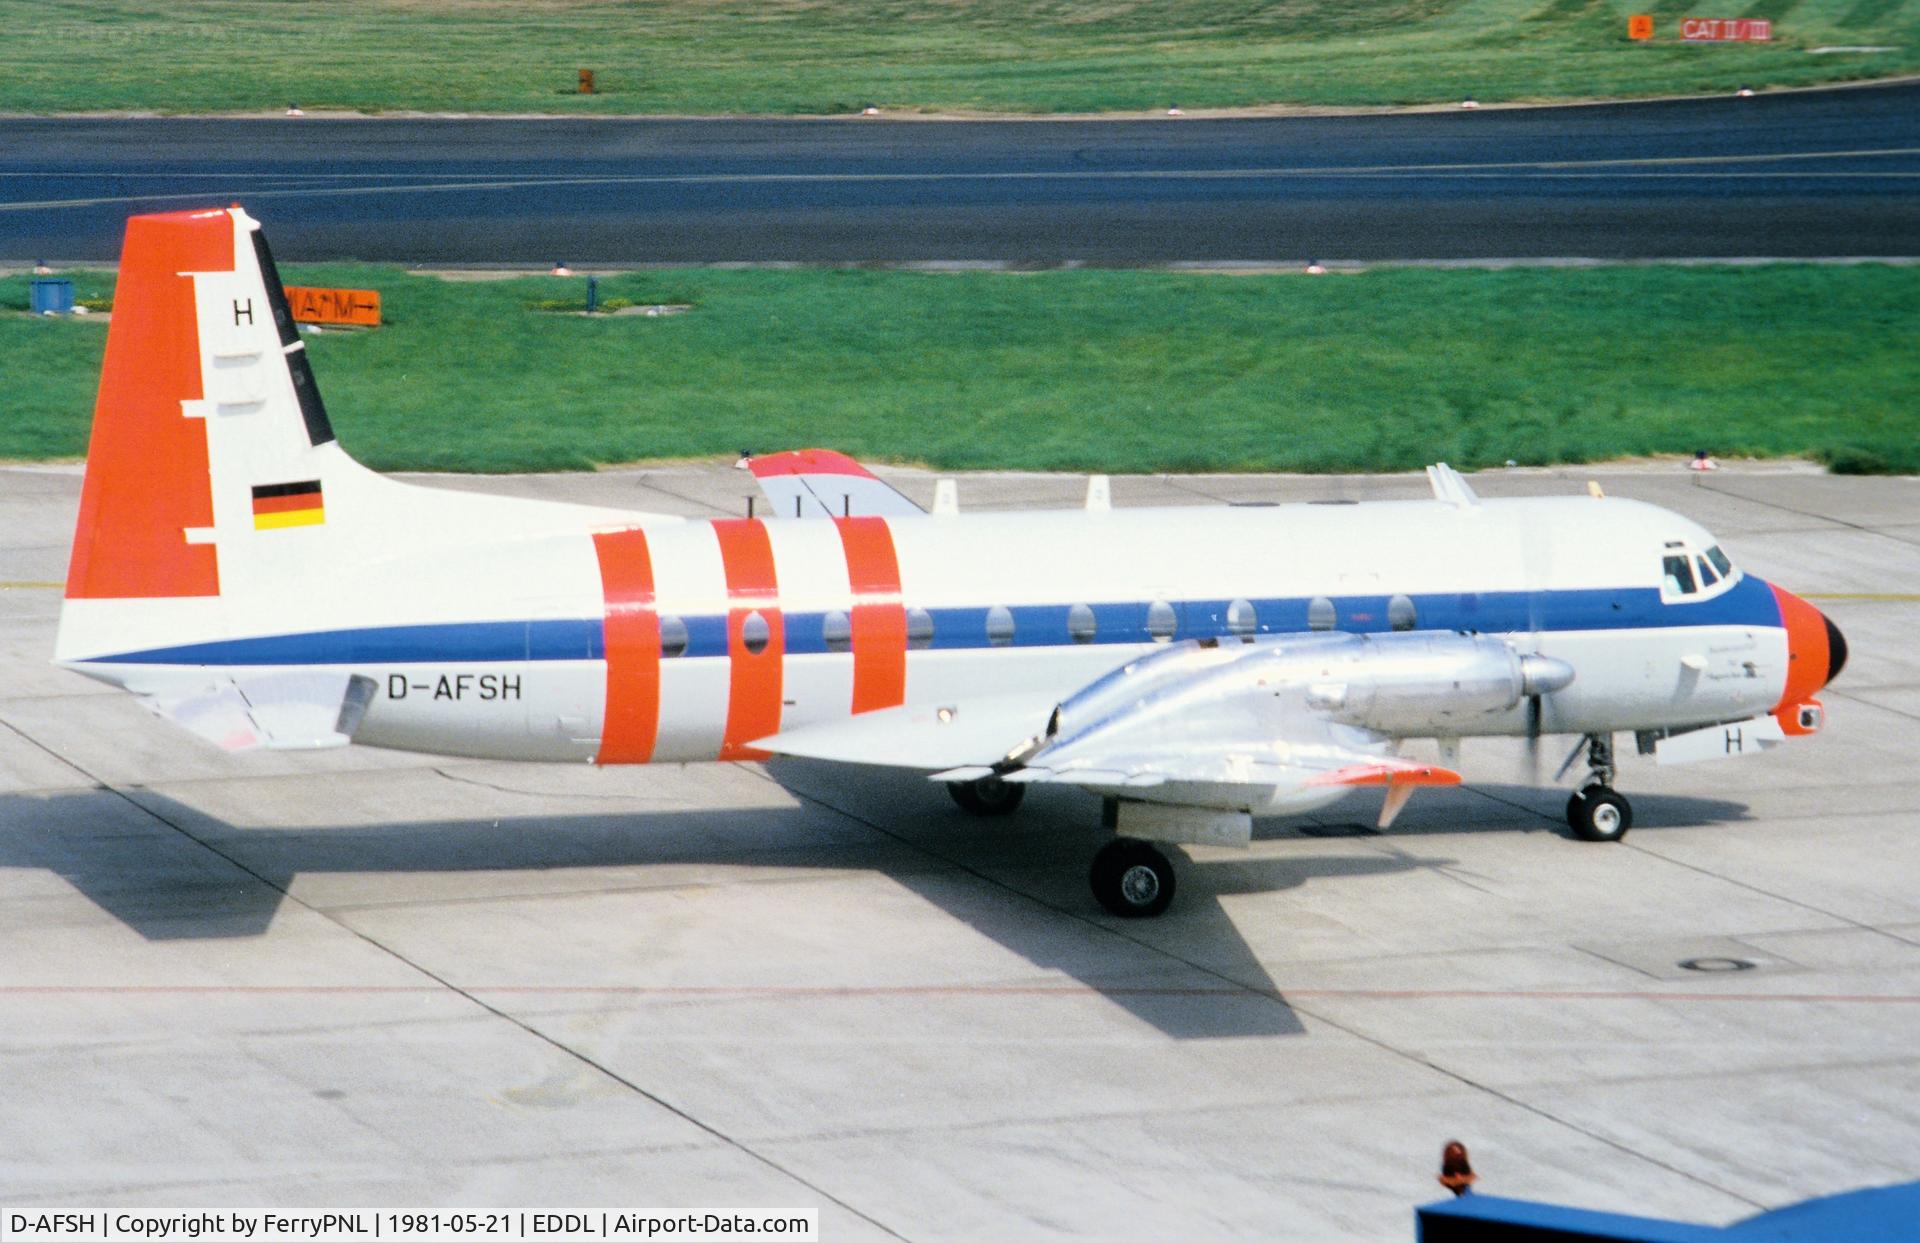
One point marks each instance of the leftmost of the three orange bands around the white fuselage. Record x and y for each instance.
(633, 643)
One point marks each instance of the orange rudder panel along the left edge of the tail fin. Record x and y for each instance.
(147, 466)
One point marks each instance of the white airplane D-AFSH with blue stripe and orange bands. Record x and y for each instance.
(1193, 668)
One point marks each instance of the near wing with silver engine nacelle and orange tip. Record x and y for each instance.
(1276, 723)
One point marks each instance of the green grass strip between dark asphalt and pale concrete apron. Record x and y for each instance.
(1088, 370)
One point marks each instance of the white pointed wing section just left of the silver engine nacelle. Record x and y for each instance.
(934, 737)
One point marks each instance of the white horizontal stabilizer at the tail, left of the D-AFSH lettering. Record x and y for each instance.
(293, 712)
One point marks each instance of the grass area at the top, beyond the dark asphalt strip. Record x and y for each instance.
(827, 57)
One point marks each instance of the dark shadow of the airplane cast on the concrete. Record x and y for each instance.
(1020, 881)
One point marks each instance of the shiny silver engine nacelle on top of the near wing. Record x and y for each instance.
(1291, 689)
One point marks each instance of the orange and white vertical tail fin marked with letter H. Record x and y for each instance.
(206, 402)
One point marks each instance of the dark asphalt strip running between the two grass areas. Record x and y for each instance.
(1812, 174)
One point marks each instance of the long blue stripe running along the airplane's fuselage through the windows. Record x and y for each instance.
(1748, 604)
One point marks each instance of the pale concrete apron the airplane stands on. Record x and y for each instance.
(373, 979)
